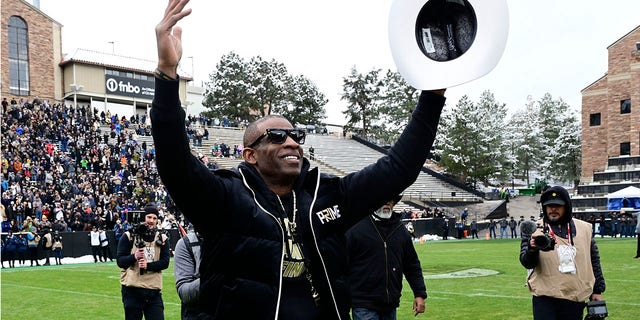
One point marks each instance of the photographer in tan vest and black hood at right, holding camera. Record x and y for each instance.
(563, 261)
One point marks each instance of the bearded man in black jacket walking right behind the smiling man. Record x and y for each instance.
(380, 251)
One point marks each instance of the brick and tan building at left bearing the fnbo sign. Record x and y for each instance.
(33, 64)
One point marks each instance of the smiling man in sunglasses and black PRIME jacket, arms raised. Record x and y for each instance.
(274, 247)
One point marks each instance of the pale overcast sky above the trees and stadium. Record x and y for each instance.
(554, 46)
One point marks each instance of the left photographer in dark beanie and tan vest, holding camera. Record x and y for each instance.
(143, 252)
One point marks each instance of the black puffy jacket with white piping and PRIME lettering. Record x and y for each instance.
(244, 241)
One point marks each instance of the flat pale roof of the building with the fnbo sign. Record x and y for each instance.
(96, 58)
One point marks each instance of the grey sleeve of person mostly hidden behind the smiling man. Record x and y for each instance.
(187, 284)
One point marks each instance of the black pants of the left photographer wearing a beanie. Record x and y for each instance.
(139, 301)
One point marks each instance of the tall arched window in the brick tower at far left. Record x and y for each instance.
(18, 56)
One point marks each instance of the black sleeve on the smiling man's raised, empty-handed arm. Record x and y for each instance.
(185, 177)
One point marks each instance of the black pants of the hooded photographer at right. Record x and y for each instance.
(547, 308)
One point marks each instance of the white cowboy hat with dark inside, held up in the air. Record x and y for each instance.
(443, 43)
